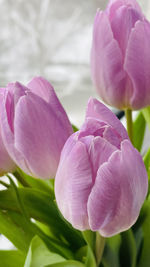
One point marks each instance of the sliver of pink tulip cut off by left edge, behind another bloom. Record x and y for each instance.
(6, 163)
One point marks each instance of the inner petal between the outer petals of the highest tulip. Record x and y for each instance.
(126, 18)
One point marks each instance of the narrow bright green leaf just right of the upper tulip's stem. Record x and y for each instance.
(139, 131)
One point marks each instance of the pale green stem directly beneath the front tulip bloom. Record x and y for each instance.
(100, 244)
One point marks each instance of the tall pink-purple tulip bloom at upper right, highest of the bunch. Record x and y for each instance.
(120, 58)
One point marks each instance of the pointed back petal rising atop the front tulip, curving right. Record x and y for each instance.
(99, 111)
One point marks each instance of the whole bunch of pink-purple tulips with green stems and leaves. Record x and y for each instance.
(80, 197)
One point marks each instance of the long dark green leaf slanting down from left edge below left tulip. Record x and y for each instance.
(42, 208)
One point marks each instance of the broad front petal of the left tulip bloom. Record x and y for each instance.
(37, 135)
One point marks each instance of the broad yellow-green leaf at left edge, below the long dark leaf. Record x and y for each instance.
(13, 226)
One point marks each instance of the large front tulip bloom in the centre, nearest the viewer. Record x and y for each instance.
(101, 181)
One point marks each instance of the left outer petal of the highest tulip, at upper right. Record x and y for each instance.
(108, 75)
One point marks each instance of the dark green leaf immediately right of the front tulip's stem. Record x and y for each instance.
(111, 251)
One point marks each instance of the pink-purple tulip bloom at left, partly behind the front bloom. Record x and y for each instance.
(34, 127)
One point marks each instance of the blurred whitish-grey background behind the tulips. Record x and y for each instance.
(51, 38)
